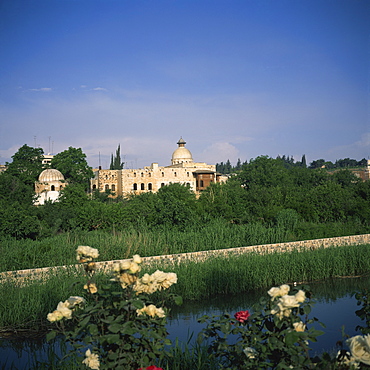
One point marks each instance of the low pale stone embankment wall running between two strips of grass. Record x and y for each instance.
(175, 259)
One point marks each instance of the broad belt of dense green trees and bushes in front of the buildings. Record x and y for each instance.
(304, 201)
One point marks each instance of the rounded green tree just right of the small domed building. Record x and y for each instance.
(73, 165)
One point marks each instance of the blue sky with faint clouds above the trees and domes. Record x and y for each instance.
(235, 79)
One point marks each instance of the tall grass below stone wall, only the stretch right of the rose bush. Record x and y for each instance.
(249, 272)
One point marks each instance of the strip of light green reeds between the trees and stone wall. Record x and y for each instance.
(60, 249)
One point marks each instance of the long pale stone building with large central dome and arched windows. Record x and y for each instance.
(182, 170)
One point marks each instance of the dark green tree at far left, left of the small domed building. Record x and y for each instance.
(26, 164)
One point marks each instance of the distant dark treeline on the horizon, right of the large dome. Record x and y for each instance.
(288, 161)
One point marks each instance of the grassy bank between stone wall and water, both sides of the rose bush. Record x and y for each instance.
(27, 307)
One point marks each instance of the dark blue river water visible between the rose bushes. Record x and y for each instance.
(334, 306)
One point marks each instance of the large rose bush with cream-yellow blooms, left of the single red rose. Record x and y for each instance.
(120, 323)
